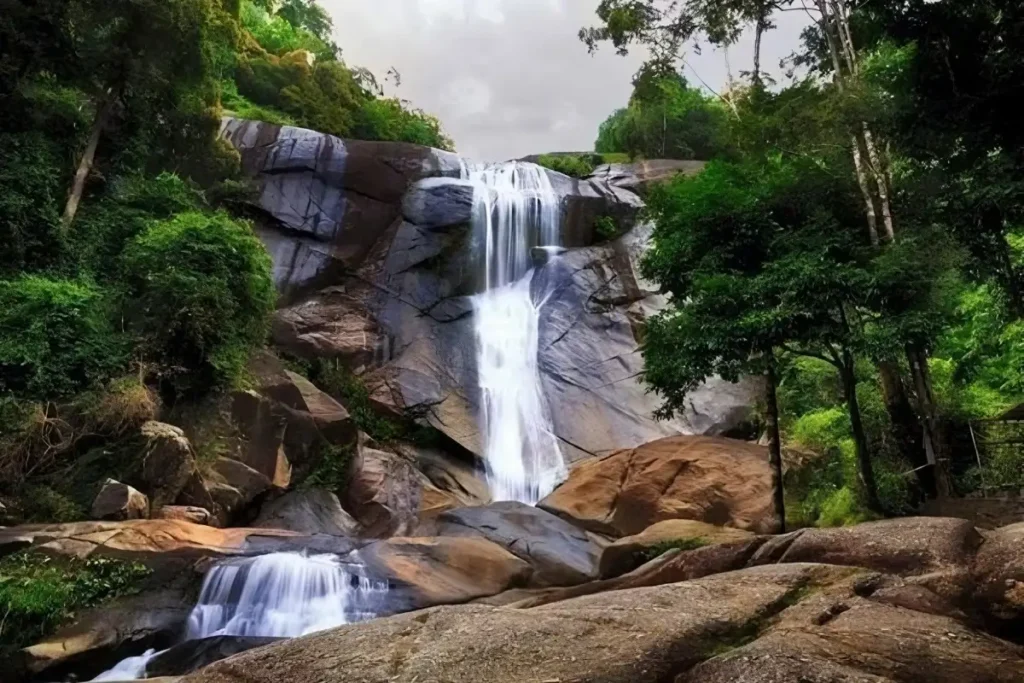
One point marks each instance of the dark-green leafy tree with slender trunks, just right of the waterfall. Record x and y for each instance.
(759, 259)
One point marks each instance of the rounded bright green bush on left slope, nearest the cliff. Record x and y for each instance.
(201, 295)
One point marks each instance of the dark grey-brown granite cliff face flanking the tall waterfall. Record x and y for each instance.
(375, 257)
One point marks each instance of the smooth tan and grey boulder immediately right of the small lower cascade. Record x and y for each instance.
(423, 573)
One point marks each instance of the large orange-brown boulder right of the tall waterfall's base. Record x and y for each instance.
(717, 481)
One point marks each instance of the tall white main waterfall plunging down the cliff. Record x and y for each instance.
(516, 209)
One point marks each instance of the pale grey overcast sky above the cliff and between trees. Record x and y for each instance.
(509, 78)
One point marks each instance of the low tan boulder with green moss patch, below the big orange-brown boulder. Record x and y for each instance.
(627, 554)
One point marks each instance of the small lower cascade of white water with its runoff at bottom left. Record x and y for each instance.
(282, 595)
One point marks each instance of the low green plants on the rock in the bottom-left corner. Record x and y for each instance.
(38, 593)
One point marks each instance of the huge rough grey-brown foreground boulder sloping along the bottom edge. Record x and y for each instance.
(649, 634)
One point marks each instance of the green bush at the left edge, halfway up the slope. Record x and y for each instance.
(56, 337)
